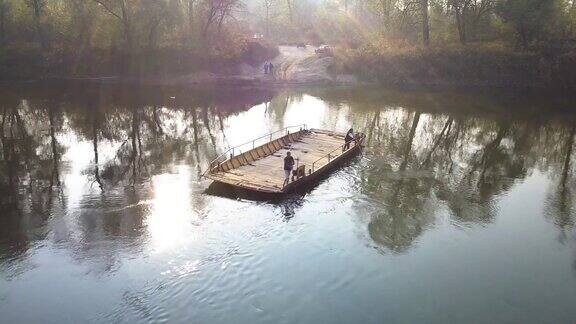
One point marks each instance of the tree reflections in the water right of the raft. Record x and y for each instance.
(465, 161)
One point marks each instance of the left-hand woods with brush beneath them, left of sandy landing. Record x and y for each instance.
(81, 35)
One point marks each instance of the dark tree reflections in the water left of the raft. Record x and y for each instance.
(130, 142)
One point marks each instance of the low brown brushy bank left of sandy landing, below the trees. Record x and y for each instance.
(30, 62)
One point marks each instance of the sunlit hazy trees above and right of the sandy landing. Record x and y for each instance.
(522, 23)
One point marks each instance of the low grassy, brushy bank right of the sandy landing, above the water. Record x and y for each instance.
(485, 65)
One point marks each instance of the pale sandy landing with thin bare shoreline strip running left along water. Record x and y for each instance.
(292, 67)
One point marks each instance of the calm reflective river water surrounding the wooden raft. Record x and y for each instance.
(459, 209)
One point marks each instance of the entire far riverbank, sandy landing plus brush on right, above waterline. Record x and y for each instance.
(410, 67)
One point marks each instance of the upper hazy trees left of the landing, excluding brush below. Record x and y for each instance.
(125, 23)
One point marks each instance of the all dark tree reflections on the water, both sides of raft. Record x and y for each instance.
(421, 154)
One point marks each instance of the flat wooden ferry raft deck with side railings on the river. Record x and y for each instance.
(259, 167)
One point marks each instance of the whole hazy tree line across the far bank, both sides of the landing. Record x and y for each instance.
(87, 35)
